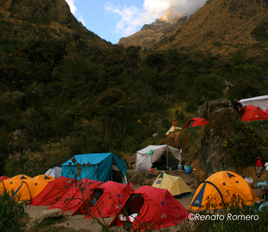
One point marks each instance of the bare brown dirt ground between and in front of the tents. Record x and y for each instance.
(77, 222)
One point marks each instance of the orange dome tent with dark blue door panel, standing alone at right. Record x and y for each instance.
(221, 189)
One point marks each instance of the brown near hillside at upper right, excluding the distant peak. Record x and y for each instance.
(224, 27)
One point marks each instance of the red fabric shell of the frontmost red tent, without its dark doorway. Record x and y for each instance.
(160, 209)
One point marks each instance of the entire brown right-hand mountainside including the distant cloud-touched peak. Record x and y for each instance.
(220, 27)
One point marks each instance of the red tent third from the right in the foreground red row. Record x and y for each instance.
(78, 194)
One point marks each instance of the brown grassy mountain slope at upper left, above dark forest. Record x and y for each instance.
(23, 20)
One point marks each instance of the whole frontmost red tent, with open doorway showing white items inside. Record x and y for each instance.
(156, 208)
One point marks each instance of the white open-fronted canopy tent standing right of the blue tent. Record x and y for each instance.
(148, 155)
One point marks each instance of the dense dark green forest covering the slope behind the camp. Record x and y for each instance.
(65, 96)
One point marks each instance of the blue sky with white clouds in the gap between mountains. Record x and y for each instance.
(114, 19)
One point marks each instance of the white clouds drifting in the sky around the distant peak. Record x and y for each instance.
(131, 19)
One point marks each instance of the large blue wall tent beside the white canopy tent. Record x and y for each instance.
(94, 166)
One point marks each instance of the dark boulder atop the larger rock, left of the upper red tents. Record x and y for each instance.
(209, 108)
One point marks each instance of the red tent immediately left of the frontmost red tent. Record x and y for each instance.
(113, 196)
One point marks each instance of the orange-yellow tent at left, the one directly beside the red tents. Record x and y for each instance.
(29, 189)
